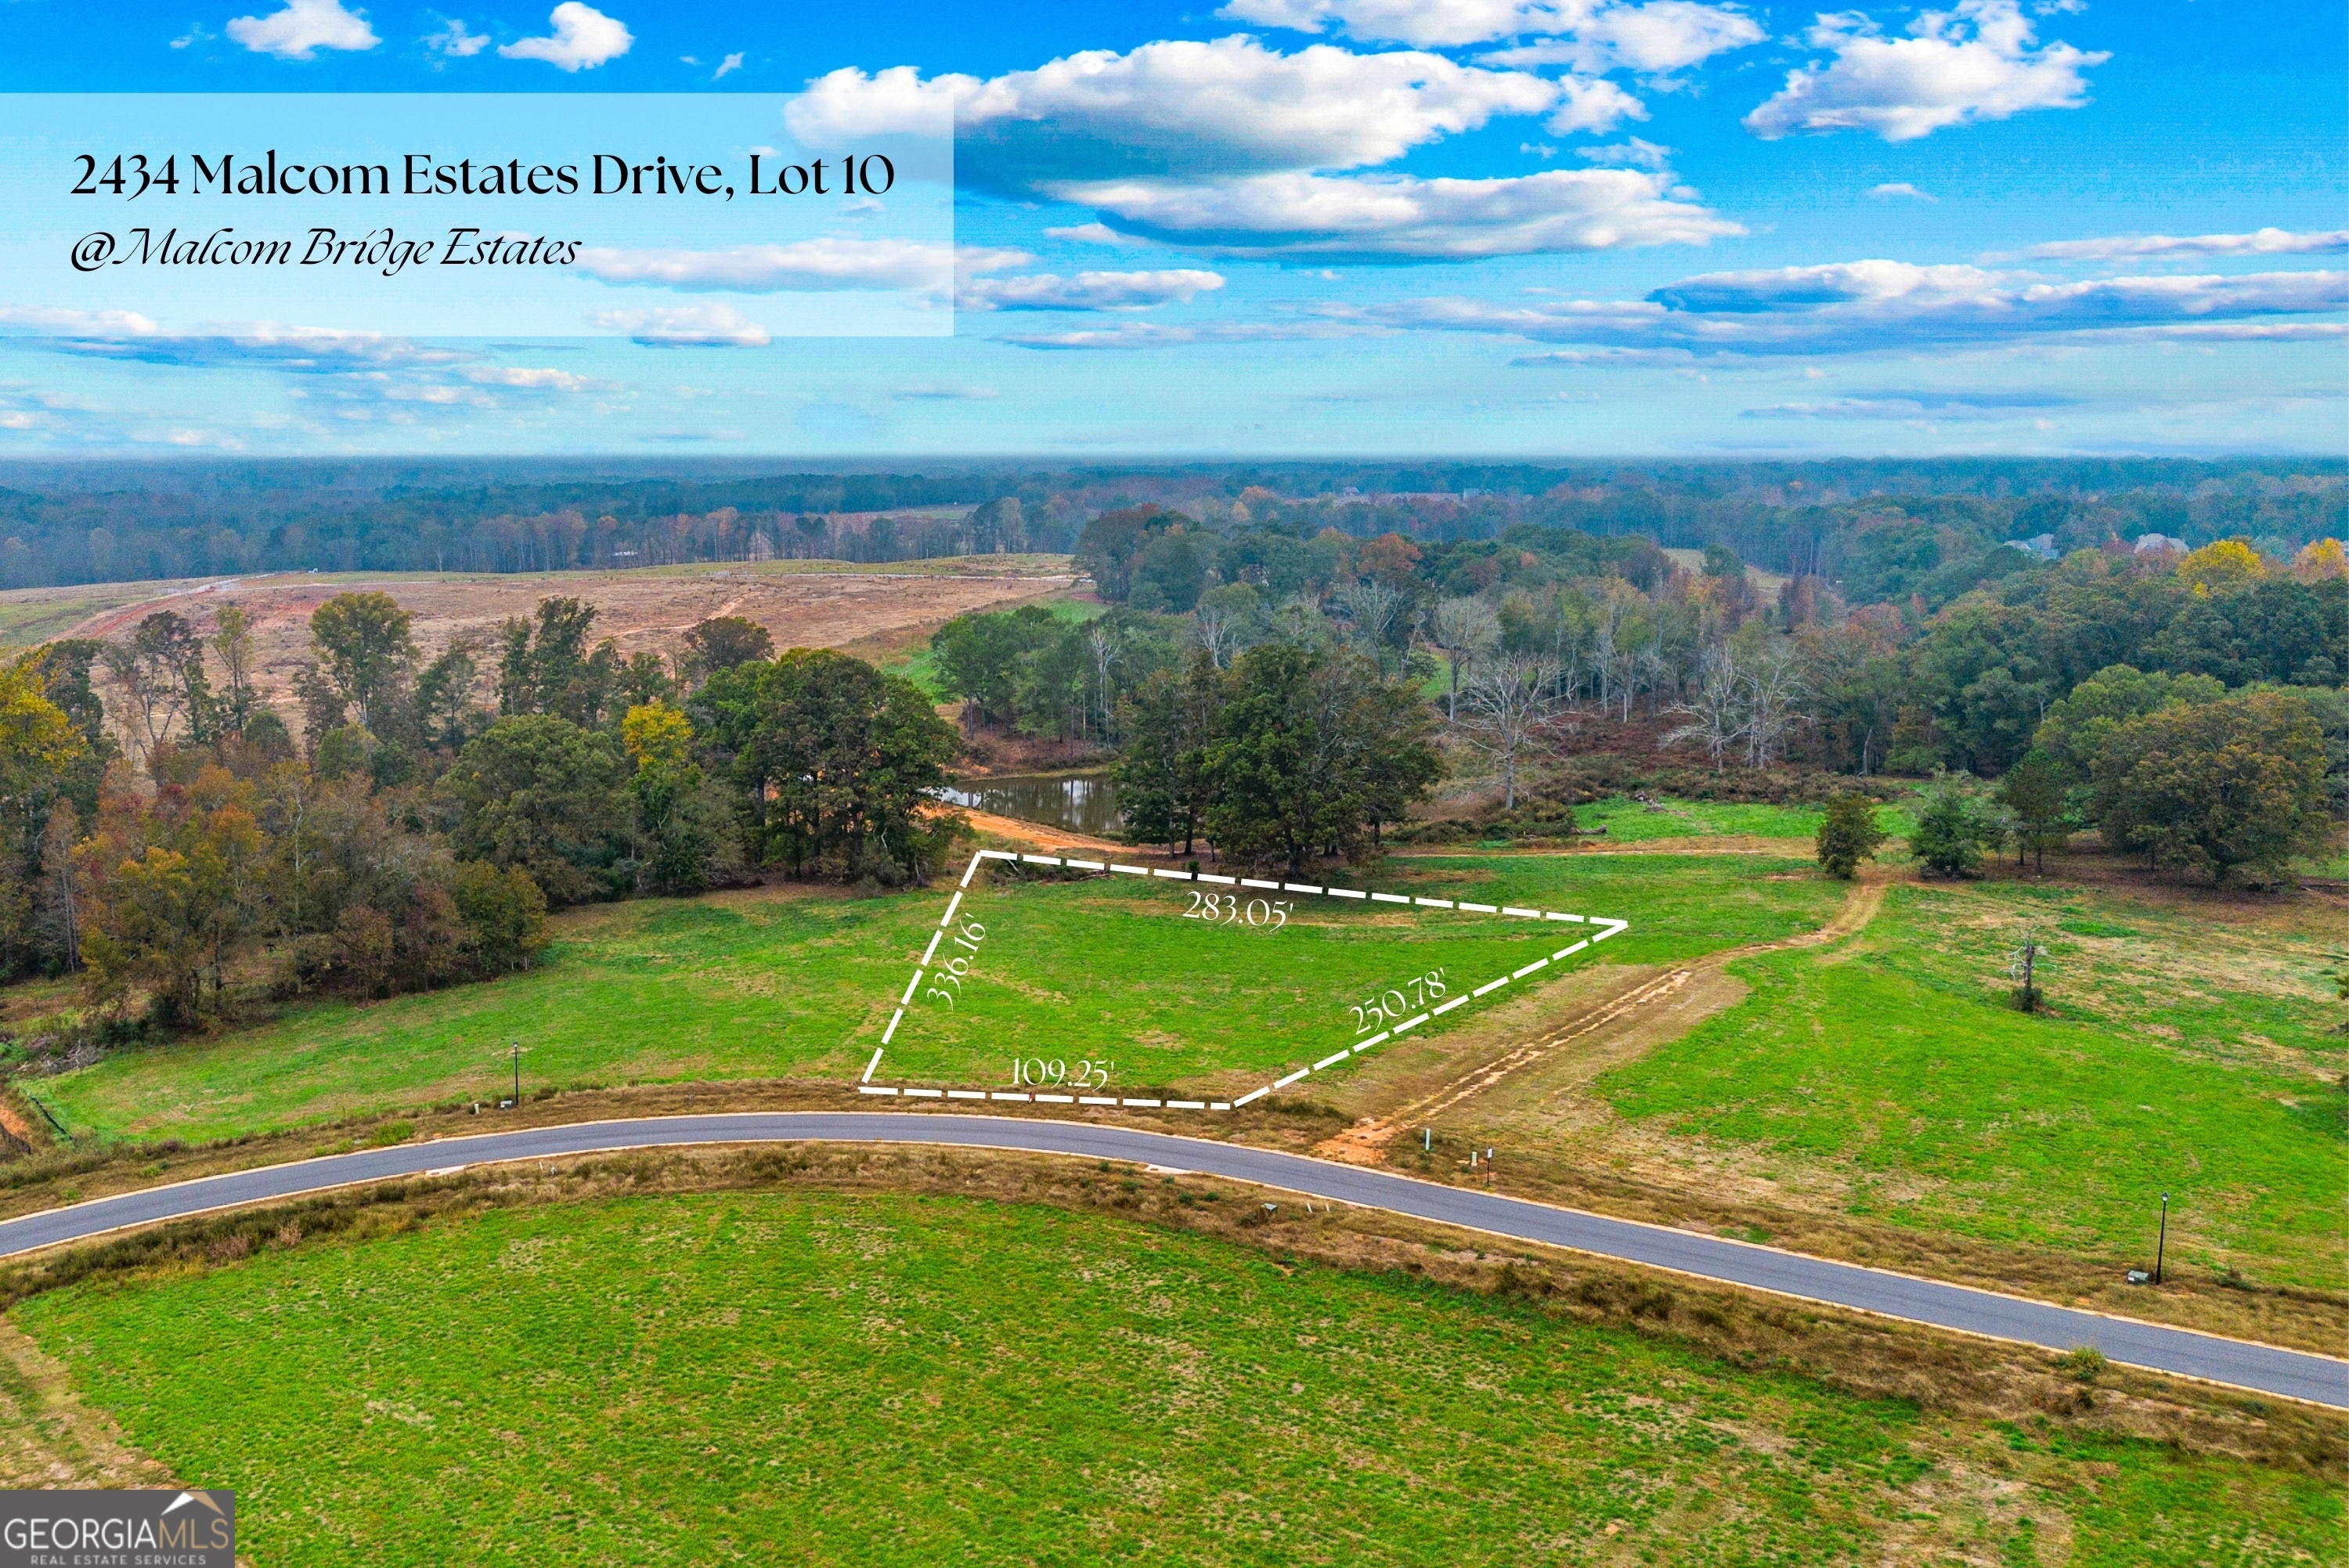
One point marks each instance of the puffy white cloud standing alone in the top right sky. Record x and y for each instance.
(1972, 62)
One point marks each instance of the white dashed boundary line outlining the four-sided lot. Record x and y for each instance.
(866, 1086)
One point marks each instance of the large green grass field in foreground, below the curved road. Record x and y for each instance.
(828, 1379)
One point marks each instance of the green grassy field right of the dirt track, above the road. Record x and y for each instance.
(2181, 1053)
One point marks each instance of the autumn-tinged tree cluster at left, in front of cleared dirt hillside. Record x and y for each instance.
(436, 809)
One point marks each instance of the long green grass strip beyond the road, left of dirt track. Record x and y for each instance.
(802, 985)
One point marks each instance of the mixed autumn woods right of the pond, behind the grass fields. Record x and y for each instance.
(2230, 764)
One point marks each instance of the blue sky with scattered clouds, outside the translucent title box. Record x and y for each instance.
(1350, 227)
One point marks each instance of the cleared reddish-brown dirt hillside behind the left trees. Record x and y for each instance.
(875, 611)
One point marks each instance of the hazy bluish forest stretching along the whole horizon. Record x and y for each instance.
(123, 522)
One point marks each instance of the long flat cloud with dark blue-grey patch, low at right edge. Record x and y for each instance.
(1871, 306)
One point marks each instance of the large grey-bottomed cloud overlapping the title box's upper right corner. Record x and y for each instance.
(1209, 109)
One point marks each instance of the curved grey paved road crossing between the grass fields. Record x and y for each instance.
(1946, 1306)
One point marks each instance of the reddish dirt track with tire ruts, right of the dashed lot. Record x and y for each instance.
(1692, 992)
